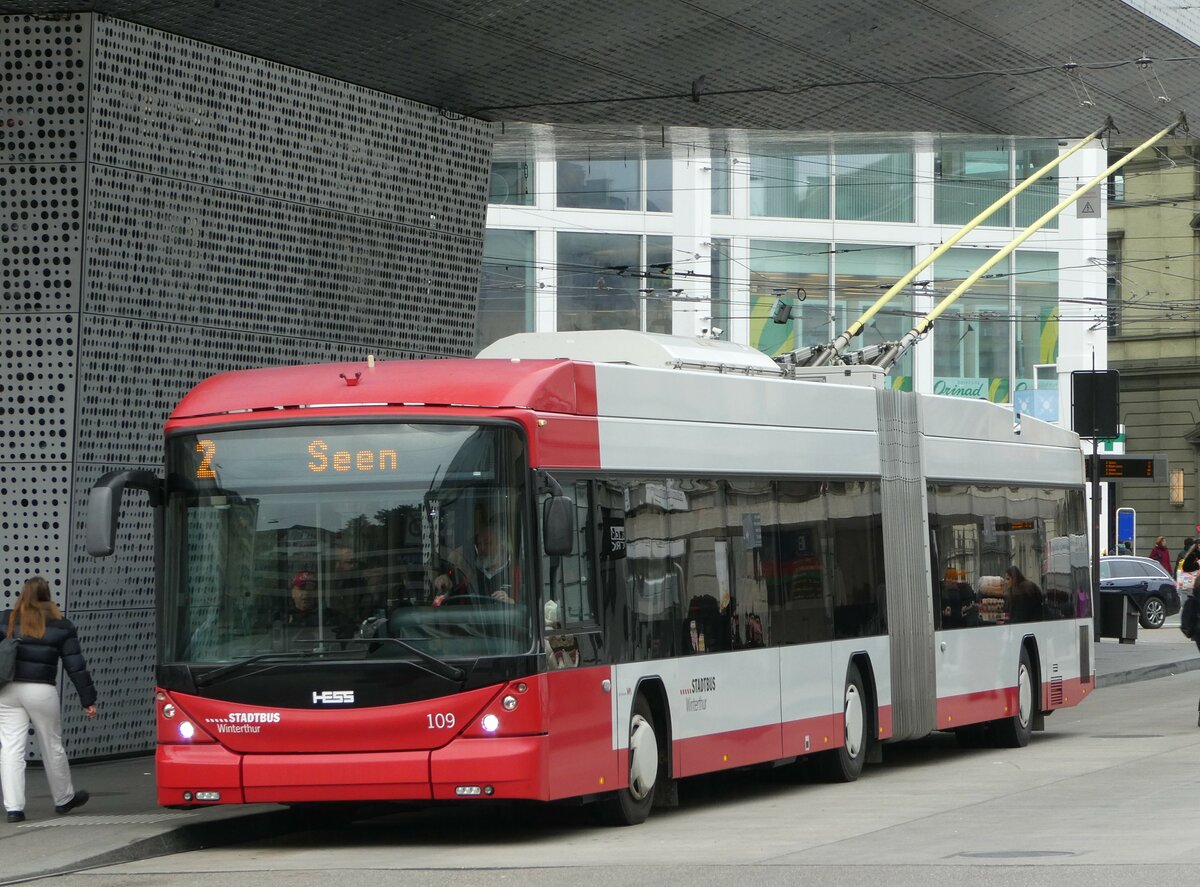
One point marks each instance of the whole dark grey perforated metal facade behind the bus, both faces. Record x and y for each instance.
(170, 211)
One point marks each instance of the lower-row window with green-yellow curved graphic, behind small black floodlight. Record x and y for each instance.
(799, 274)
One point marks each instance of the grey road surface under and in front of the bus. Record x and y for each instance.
(1107, 796)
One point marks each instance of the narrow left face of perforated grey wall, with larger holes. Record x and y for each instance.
(43, 140)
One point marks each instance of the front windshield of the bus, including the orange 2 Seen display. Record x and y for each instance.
(296, 542)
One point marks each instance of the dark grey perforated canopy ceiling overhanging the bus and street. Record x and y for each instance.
(1024, 68)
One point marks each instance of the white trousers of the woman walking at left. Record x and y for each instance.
(21, 703)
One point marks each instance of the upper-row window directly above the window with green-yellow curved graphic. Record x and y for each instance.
(789, 183)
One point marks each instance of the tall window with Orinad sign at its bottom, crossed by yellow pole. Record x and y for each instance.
(973, 338)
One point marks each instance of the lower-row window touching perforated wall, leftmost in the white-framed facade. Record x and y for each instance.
(507, 286)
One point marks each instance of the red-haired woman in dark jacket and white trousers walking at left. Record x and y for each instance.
(33, 697)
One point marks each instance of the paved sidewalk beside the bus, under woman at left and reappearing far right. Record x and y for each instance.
(124, 823)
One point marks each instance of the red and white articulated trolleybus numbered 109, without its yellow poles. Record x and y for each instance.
(586, 566)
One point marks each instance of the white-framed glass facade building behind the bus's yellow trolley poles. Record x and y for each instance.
(706, 236)
